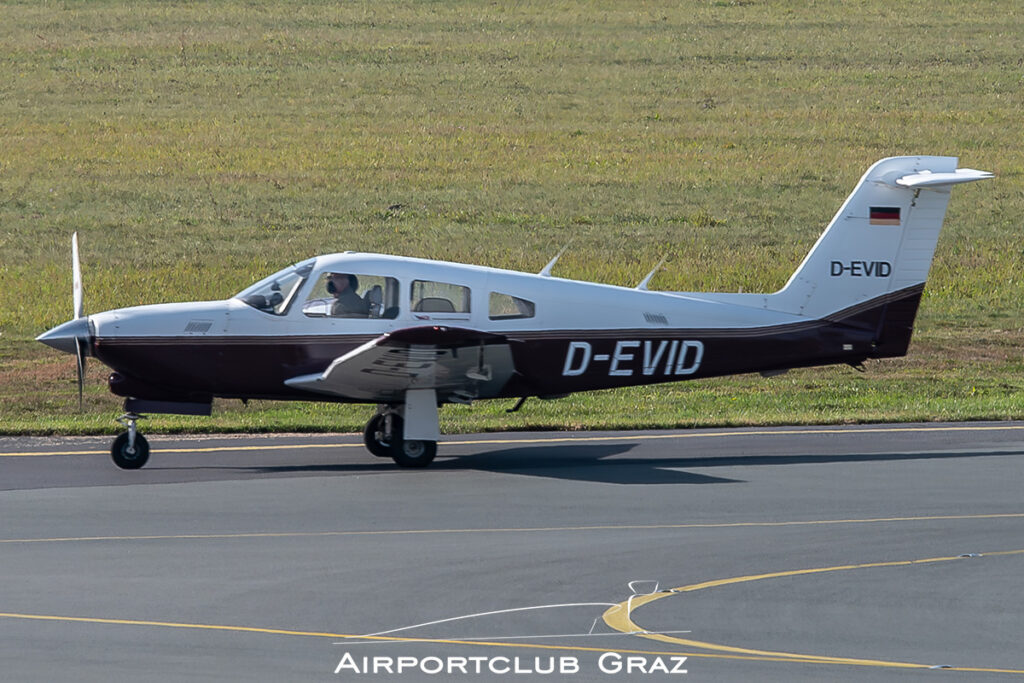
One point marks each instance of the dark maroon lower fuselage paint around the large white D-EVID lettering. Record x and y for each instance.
(177, 369)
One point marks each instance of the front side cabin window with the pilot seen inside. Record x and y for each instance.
(339, 294)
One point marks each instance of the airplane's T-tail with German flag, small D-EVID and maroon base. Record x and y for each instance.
(869, 269)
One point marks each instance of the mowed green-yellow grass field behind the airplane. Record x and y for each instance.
(197, 148)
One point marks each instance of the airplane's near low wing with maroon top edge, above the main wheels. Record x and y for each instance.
(461, 365)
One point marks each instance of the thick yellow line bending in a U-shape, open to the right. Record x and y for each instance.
(620, 617)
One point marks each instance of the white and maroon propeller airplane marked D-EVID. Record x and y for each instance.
(409, 335)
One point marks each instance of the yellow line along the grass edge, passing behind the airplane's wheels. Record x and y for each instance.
(565, 440)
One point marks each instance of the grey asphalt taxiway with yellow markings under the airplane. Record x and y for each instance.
(815, 553)
